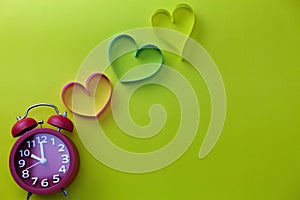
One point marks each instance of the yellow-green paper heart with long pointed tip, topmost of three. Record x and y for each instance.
(182, 20)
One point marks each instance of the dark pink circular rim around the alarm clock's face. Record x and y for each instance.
(73, 166)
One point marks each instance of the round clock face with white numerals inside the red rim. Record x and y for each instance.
(42, 160)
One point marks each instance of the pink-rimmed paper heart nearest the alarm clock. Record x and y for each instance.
(89, 100)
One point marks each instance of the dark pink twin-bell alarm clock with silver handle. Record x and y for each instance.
(43, 160)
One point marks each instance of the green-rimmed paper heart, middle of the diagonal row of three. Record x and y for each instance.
(131, 63)
